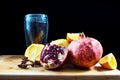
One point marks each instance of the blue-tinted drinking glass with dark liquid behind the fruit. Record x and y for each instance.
(36, 28)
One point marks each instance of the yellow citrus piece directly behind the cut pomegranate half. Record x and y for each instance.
(60, 42)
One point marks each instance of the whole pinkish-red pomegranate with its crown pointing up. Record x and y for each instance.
(85, 52)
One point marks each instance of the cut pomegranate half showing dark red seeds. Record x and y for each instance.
(53, 56)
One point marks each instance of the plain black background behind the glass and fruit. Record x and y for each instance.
(100, 20)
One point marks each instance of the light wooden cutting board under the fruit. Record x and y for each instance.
(10, 70)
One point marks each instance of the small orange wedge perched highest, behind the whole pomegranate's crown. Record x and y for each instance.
(72, 36)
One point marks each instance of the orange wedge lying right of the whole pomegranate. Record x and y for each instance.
(108, 61)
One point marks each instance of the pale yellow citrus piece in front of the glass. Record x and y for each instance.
(33, 52)
